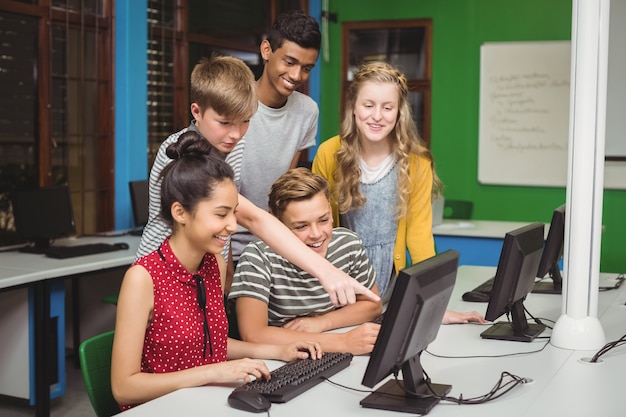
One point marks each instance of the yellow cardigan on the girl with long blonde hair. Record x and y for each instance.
(415, 230)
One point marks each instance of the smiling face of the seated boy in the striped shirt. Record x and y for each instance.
(311, 221)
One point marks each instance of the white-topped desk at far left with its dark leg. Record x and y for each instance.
(37, 272)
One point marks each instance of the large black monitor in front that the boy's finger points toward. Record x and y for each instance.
(411, 322)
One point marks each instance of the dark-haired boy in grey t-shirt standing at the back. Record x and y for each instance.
(285, 123)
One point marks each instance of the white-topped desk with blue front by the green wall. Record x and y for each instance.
(478, 242)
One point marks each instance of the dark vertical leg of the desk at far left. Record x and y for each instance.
(42, 348)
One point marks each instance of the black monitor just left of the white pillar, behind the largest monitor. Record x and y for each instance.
(515, 277)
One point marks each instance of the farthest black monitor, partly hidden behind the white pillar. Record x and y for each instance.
(552, 254)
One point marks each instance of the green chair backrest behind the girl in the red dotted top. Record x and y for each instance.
(95, 363)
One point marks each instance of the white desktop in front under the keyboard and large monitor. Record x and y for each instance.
(562, 385)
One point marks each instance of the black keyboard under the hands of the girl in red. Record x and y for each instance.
(294, 378)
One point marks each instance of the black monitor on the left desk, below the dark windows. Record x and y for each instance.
(42, 215)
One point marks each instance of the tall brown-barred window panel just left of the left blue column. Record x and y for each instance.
(75, 153)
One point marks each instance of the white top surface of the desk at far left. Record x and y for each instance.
(17, 268)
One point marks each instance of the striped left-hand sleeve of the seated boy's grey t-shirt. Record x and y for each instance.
(252, 275)
